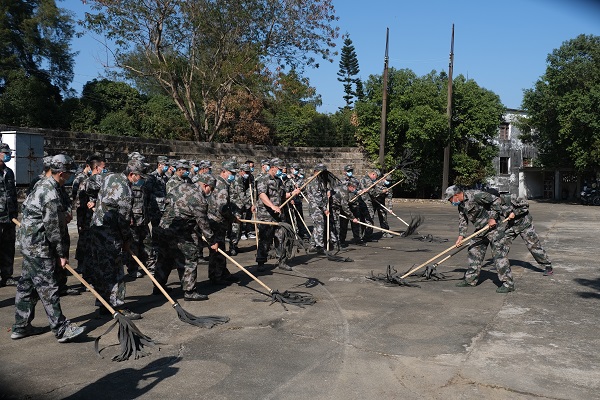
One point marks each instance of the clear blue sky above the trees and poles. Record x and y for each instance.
(502, 45)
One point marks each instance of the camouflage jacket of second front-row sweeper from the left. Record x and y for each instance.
(113, 207)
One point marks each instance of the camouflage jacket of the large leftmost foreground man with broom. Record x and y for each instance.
(43, 227)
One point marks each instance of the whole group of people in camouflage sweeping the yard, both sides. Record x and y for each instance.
(170, 213)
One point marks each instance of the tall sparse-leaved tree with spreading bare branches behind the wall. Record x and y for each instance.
(201, 51)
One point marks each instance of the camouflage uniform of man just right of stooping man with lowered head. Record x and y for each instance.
(220, 215)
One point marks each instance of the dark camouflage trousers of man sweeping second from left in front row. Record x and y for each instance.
(106, 263)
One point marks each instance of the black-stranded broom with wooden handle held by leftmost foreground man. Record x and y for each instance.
(131, 340)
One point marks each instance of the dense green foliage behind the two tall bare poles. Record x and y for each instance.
(417, 121)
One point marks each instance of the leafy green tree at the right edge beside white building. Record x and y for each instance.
(562, 120)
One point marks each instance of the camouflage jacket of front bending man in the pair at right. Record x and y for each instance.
(478, 207)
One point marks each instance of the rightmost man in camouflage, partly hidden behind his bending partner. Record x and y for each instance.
(520, 223)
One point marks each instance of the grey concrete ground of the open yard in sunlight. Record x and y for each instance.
(362, 339)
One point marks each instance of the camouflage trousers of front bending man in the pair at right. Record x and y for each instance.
(500, 246)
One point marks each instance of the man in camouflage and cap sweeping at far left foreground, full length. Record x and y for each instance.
(42, 240)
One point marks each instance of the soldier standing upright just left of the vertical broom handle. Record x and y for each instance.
(318, 196)
